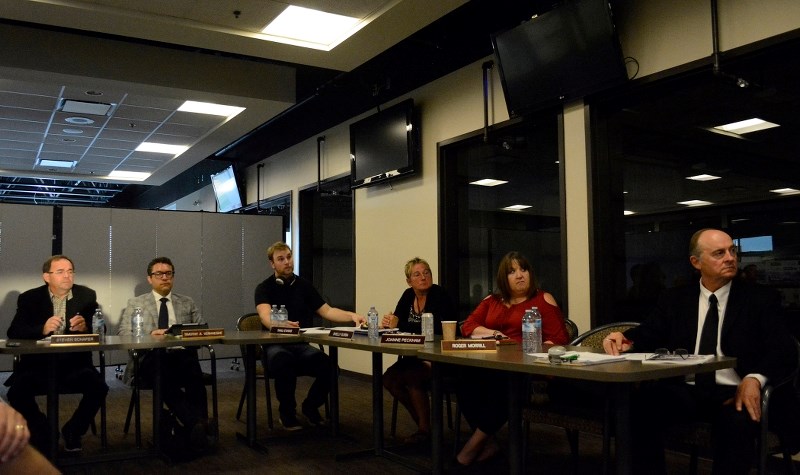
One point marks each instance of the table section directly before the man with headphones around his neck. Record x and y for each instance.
(249, 340)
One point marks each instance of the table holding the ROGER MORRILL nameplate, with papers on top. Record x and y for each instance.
(620, 375)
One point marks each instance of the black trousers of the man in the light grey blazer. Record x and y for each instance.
(182, 386)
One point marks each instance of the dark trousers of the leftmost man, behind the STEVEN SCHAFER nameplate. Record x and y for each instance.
(26, 385)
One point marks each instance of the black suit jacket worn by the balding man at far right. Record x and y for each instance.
(753, 329)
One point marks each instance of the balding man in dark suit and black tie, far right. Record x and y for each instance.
(747, 325)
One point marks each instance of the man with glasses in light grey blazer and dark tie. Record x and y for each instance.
(182, 386)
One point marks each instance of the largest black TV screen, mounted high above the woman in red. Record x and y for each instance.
(562, 54)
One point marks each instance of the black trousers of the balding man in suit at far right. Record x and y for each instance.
(657, 406)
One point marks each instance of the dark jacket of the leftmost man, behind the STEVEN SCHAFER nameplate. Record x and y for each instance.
(34, 308)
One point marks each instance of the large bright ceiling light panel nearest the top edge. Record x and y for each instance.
(311, 28)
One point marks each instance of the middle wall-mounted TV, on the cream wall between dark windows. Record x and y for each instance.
(384, 146)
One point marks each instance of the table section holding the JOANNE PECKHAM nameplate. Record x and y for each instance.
(360, 342)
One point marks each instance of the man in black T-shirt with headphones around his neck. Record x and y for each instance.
(287, 362)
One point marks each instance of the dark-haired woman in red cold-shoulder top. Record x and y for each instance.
(500, 314)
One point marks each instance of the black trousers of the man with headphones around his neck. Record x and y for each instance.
(286, 362)
